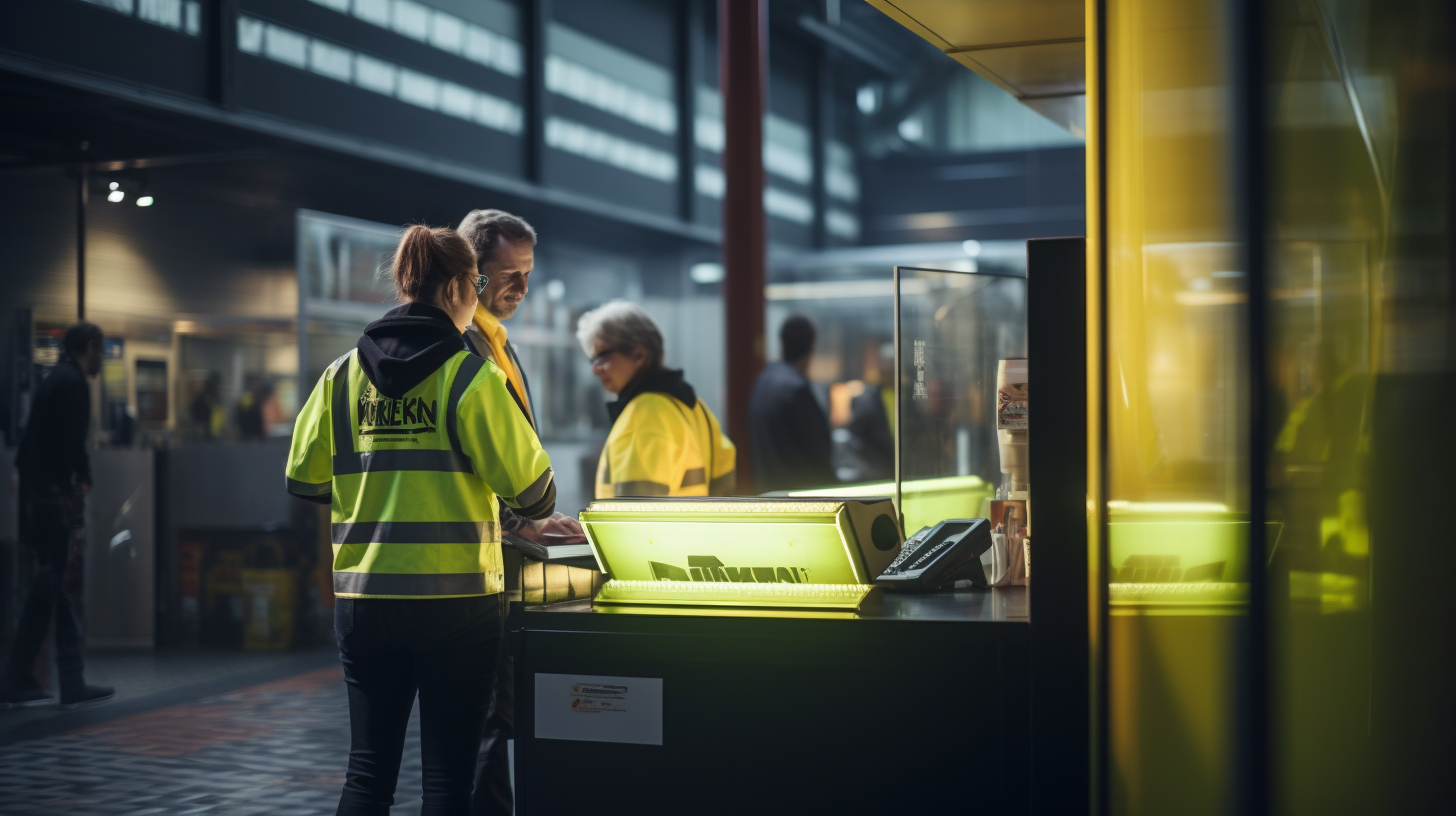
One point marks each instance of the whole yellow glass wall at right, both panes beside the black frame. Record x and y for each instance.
(1361, 361)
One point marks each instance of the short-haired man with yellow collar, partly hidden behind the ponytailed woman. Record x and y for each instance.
(506, 254)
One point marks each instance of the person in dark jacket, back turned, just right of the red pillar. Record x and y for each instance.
(790, 432)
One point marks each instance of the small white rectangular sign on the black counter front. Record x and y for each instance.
(599, 709)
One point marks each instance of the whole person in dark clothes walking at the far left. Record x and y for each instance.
(55, 480)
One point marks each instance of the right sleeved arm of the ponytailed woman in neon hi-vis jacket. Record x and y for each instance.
(503, 447)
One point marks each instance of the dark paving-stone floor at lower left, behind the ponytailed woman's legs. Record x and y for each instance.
(276, 750)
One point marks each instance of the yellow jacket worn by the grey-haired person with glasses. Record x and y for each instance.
(660, 447)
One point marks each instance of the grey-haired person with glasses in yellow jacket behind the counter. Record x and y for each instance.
(663, 439)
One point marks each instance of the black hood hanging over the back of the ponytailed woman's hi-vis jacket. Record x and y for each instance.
(408, 345)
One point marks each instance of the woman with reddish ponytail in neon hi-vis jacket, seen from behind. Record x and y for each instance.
(411, 439)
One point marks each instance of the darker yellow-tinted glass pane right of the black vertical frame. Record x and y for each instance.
(1361, 369)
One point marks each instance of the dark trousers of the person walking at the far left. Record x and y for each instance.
(47, 519)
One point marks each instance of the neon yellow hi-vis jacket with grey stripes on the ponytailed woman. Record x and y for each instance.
(414, 482)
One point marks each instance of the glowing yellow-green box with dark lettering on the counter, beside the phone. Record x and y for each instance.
(752, 552)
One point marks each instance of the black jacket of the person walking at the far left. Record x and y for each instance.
(53, 450)
